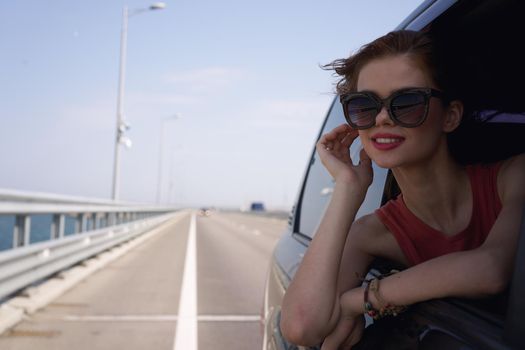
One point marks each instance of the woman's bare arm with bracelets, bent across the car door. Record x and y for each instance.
(480, 272)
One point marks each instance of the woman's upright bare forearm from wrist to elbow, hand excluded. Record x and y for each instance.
(311, 304)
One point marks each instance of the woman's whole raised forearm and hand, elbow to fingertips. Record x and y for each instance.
(311, 305)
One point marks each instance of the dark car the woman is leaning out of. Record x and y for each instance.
(483, 40)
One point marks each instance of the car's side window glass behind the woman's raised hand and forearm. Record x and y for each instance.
(319, 184)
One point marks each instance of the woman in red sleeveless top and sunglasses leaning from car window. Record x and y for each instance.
(454, 227)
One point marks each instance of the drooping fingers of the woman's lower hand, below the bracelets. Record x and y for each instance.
(346, 334)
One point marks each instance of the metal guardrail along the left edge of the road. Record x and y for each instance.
(98, 226)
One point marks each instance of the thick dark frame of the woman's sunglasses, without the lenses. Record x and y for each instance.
(427, 93)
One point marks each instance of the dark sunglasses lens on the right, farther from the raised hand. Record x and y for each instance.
(409, 108)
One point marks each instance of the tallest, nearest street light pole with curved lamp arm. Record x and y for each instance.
(122, 126)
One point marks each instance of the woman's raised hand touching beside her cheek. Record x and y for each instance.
(334, 150)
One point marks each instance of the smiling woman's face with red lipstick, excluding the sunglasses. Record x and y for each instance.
(391, 145)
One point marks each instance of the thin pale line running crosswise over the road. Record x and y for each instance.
(156, 318)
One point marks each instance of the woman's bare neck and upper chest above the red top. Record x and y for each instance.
(438, 192)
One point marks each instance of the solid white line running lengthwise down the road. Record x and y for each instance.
(186, 332)
